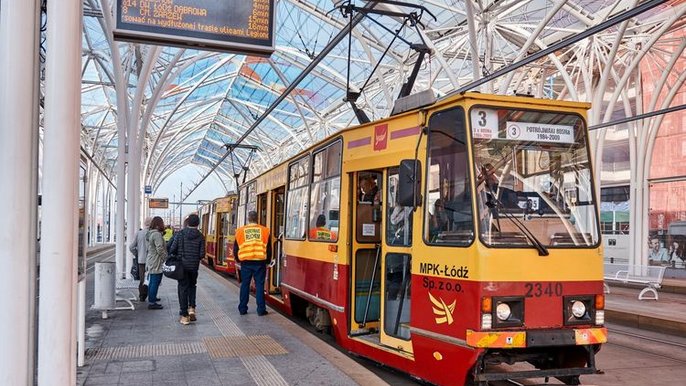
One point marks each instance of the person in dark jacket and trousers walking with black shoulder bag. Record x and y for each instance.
(189, 247)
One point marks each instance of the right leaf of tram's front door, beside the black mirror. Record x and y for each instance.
(396, 268)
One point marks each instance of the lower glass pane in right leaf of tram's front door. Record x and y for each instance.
(397, 297)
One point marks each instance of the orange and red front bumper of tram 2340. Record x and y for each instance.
(537, 338)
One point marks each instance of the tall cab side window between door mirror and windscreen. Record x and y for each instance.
(448, 215)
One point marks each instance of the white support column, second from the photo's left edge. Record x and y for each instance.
(56, 333)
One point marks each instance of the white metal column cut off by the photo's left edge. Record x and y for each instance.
(18, 43)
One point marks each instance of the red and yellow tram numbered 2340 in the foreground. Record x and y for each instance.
(457, 241)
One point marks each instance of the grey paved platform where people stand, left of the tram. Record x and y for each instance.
(150, 347)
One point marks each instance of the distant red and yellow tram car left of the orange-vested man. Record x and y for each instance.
(218, 226)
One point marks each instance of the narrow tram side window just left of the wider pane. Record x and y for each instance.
(296, 199)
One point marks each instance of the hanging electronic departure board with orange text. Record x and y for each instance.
(242, 26)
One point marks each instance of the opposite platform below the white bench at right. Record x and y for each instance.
(665, 315)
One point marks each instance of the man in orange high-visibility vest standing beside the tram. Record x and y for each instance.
(252, 250)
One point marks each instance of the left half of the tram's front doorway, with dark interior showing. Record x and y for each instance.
(366, 256)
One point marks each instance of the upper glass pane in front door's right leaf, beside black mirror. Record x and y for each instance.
(398, 218)
